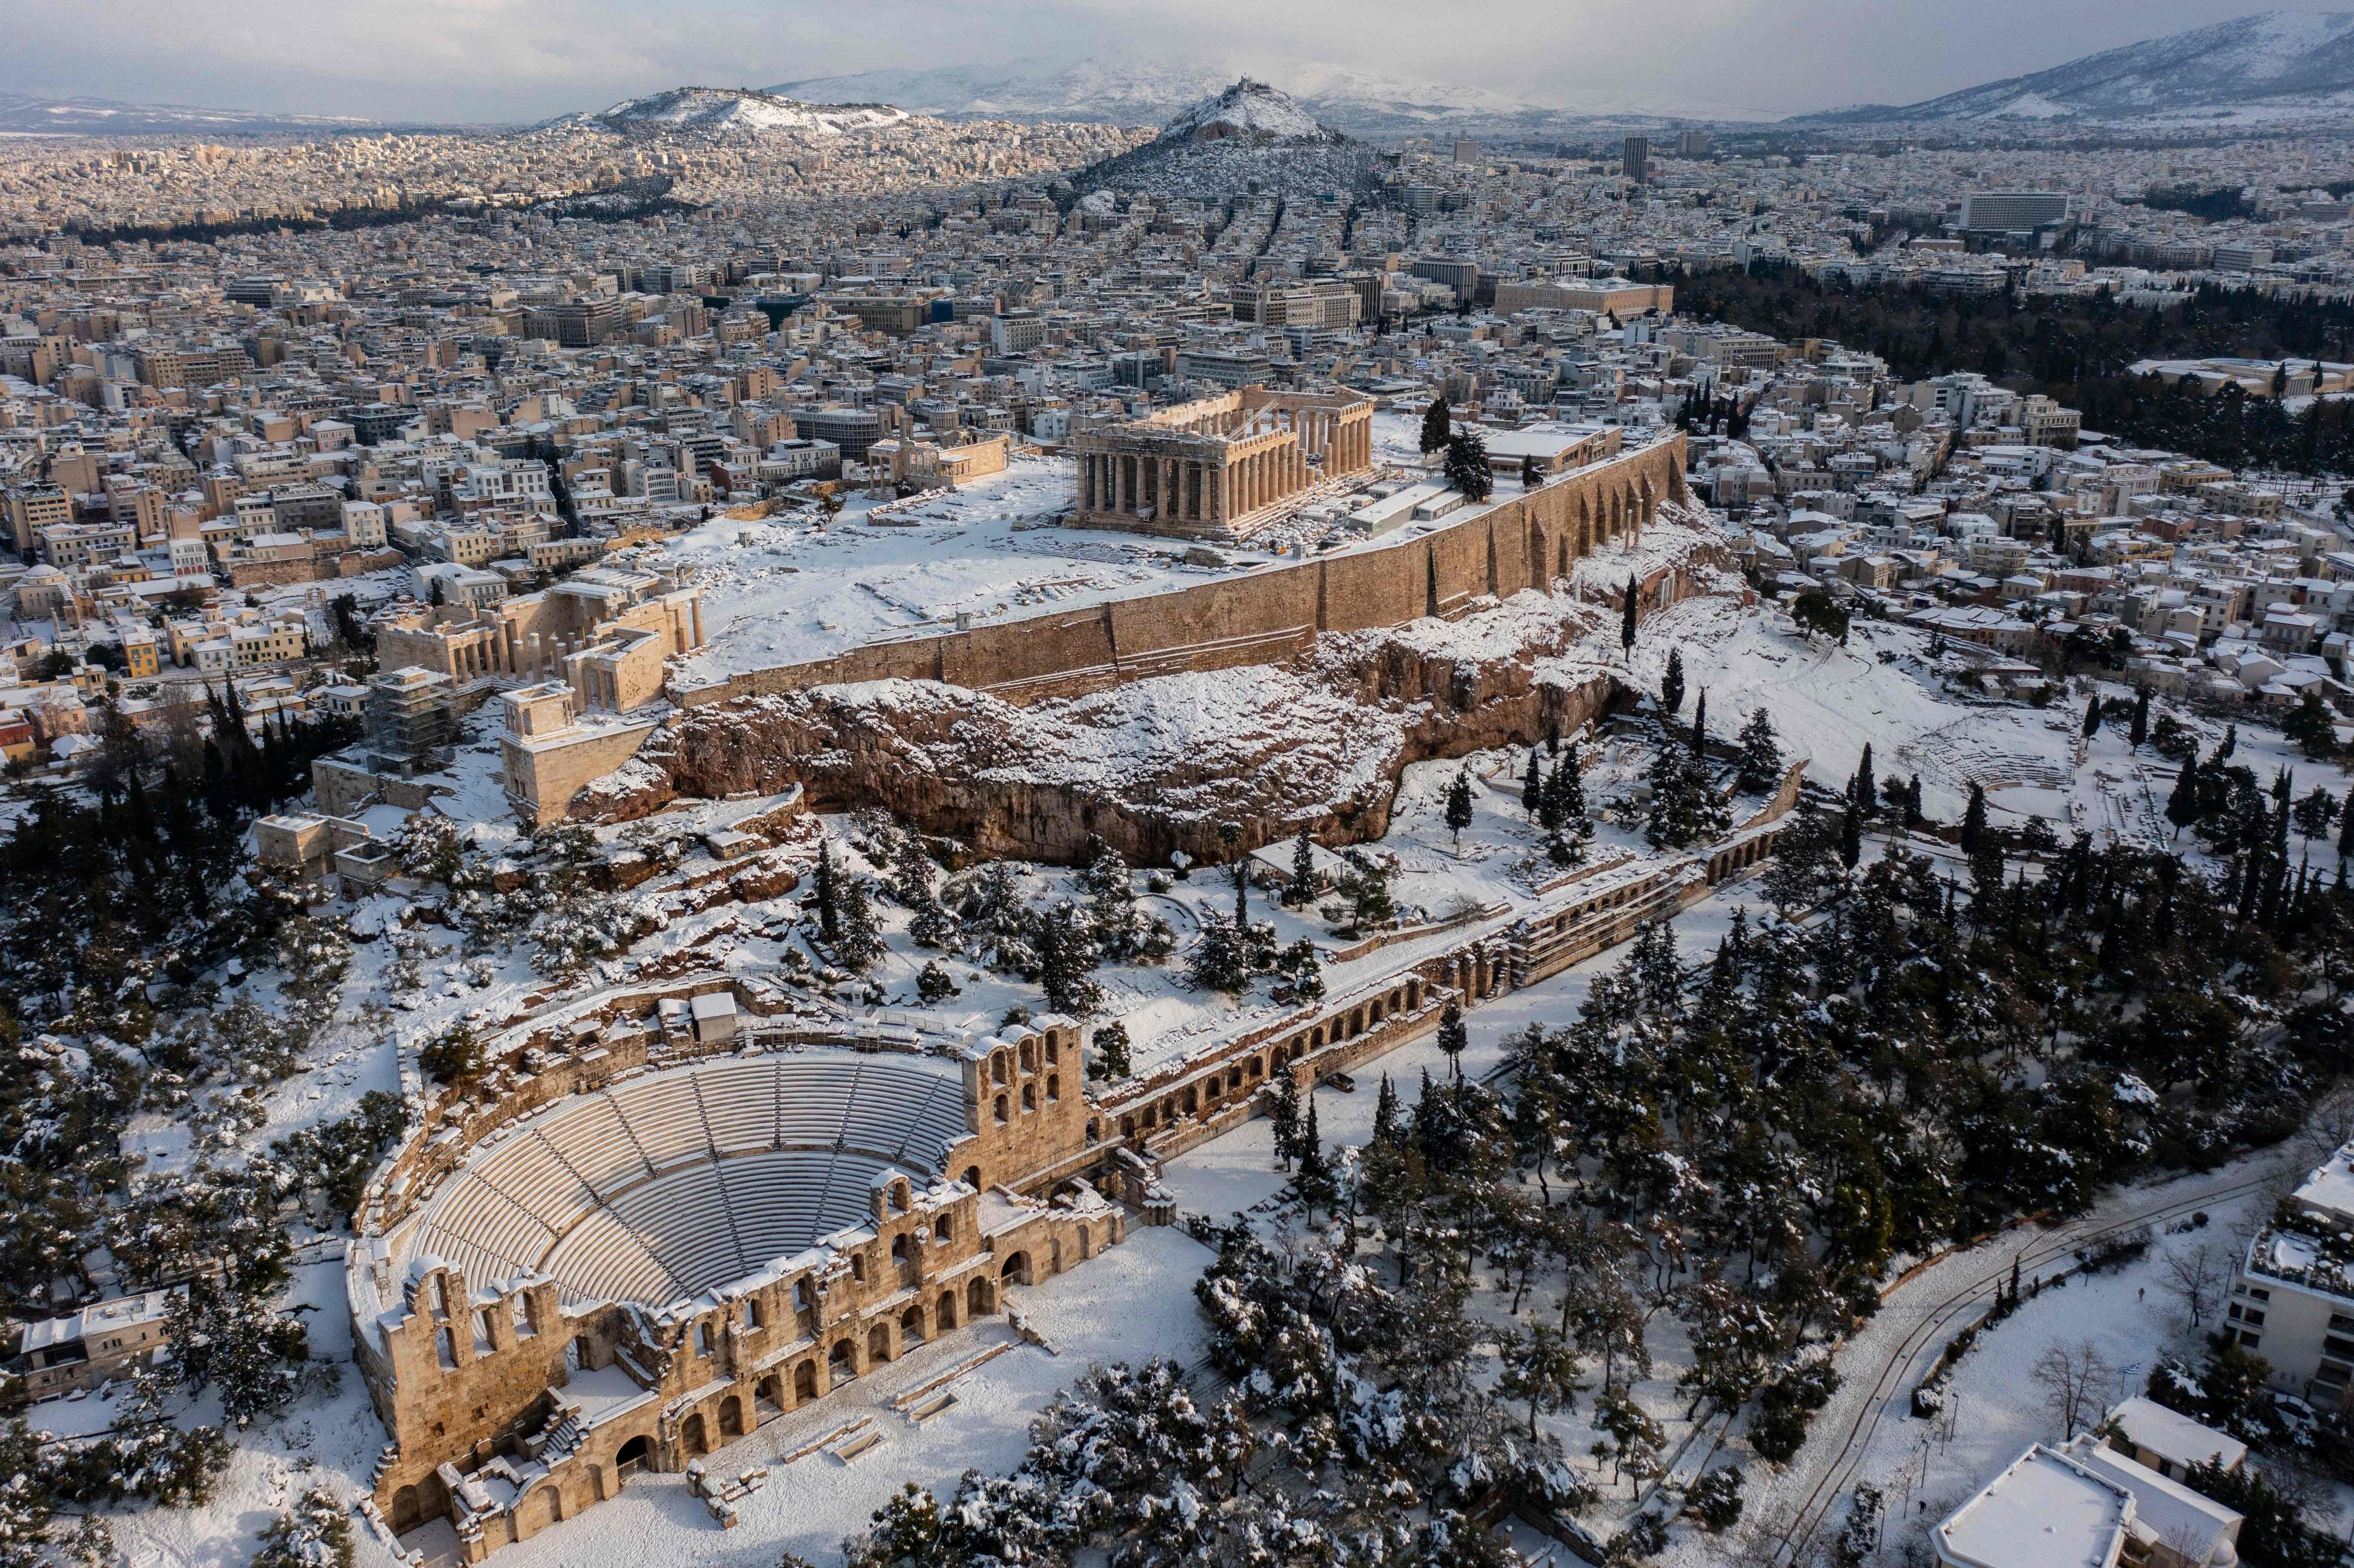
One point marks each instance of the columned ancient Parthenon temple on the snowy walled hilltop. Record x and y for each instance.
(1218, 467)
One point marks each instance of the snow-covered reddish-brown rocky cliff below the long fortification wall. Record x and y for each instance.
(1157, 766)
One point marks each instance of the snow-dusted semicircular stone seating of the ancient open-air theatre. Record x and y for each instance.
(681, 1181)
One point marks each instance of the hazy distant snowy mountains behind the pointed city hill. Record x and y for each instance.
(1133, 93)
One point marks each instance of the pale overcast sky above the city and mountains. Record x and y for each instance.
(528, 60)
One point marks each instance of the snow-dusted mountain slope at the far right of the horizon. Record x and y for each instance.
(2263, 65)
